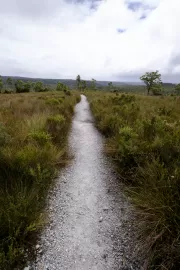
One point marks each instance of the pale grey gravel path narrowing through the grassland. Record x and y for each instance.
(90, 217)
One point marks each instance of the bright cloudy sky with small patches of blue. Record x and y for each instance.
(117, 40)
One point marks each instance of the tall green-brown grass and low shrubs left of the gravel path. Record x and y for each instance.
(33, 132)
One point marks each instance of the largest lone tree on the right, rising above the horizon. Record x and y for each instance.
(151, 79)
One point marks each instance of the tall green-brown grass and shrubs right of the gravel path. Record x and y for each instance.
(143, 137)
